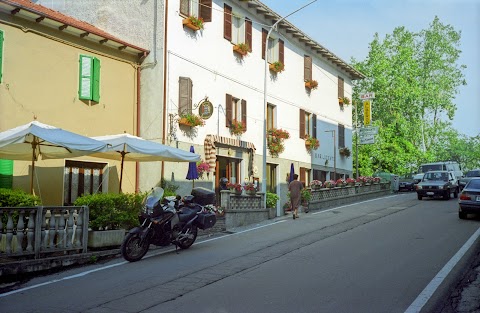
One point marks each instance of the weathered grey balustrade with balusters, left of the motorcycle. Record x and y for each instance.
(41, 231)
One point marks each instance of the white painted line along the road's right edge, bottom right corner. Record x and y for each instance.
(427, 293)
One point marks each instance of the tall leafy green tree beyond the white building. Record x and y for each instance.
(415, 77)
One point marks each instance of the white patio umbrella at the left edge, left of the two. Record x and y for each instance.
(29, 141)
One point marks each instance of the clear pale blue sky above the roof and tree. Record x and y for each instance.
(347, 27)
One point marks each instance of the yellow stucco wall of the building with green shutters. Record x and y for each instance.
(41, 79)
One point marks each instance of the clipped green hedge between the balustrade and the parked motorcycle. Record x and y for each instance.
(112, 211)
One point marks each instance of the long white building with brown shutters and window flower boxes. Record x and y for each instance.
(198, 71)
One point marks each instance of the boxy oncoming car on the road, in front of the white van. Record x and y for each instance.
(437, 184)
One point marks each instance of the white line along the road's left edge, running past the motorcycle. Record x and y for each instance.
(126, 262)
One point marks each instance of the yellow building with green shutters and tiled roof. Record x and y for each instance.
(65, 73)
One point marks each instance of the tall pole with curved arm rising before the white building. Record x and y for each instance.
(264, 176)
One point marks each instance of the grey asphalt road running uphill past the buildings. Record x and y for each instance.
(383, 255)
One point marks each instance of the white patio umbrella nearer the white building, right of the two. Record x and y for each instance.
(126, 147)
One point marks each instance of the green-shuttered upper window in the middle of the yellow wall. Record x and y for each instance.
(89, 81)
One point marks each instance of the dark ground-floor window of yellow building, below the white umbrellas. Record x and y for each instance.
(83, 178)
